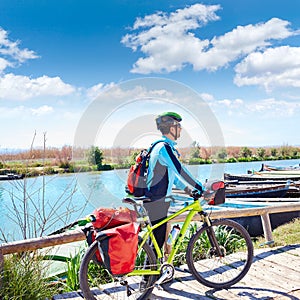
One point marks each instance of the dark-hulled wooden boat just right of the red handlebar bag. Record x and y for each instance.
(257, 191)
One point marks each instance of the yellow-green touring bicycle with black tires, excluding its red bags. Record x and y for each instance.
(219, 254)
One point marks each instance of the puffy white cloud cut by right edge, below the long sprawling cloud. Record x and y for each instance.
(273, 67)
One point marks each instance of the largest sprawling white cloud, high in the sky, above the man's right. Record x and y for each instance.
(169, 43)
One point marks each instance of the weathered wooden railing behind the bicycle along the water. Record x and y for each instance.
(78, 235)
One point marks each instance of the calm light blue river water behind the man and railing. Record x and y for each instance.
(61, 199)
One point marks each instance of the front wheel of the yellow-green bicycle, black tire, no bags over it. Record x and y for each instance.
(236, 249)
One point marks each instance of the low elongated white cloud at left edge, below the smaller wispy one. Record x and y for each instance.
(22, 87)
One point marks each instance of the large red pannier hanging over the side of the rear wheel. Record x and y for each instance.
(118, 248)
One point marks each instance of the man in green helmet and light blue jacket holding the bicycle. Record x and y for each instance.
(164, 171)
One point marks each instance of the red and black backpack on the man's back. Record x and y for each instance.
(137, 175)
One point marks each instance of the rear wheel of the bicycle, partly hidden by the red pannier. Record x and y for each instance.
(92, 288)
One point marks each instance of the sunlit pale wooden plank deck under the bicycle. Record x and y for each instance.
(275, 274)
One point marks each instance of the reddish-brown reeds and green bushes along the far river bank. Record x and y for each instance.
(66, 159)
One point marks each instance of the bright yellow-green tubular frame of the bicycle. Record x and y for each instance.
(193, 209)
